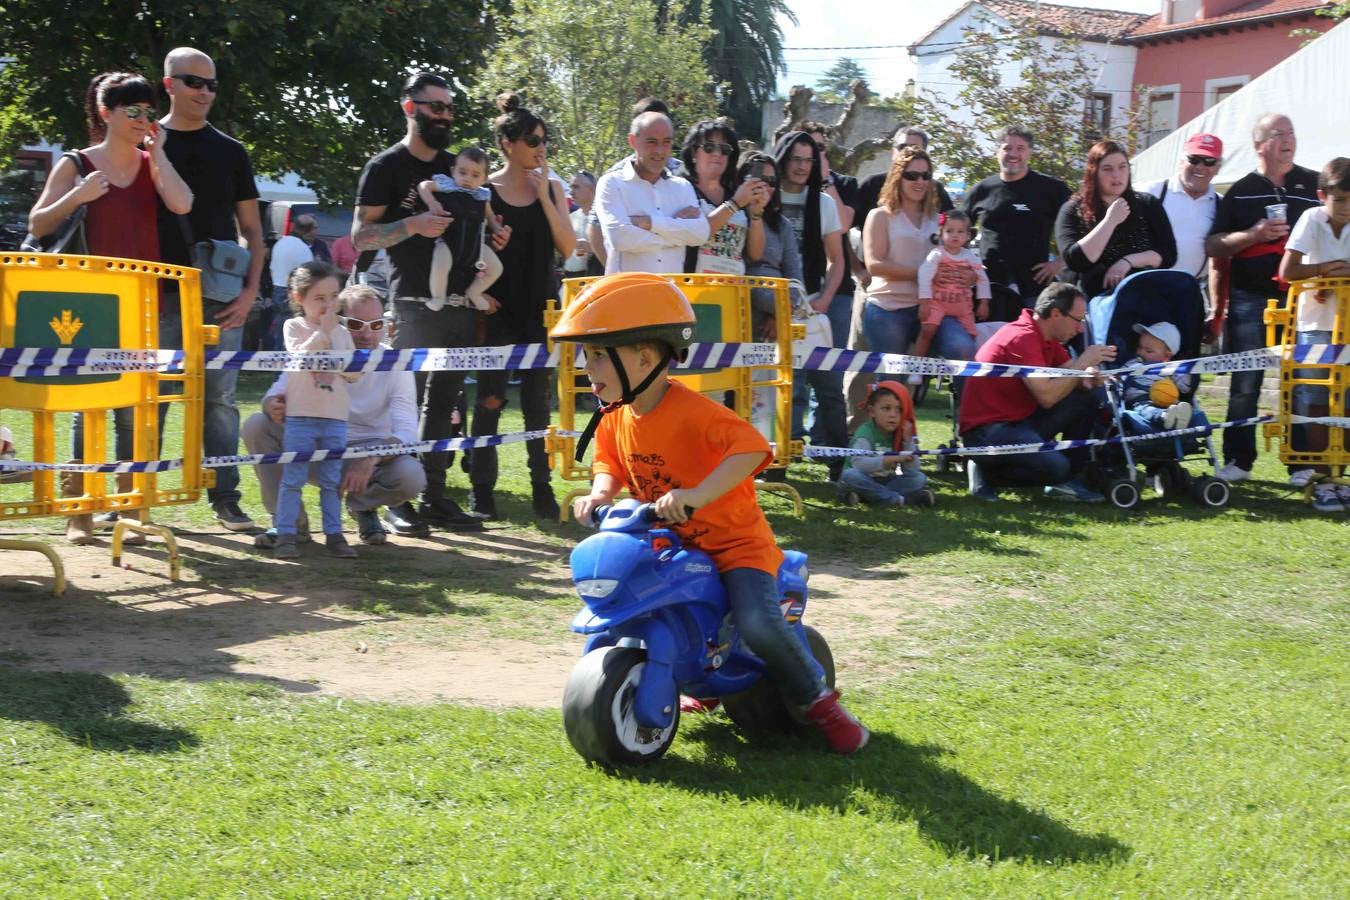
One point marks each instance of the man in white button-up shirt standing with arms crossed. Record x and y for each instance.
(647, 215)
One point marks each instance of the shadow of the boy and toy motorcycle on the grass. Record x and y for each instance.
(905, 782)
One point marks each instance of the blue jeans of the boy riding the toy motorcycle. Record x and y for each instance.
(754, 600)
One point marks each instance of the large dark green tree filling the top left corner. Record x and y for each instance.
(307, 87)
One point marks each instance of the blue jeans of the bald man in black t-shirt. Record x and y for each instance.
(221, 415)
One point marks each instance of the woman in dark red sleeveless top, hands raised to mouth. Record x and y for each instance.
(126, 175)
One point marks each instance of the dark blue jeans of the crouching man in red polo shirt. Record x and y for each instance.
(1073, 416)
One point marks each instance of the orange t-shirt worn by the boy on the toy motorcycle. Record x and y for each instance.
(678, 445)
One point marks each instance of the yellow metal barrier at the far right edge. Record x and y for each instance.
(1280, 333)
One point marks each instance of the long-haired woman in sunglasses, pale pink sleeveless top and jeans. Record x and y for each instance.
(897, 237)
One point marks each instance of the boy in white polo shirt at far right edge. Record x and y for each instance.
(1320, 248)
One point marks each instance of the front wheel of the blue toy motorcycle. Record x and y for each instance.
(599, 710)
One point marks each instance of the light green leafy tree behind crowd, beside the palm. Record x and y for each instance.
(583, 64)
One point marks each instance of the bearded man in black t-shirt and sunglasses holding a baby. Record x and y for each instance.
(389, 215)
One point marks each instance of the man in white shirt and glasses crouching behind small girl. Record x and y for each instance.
(384, 411)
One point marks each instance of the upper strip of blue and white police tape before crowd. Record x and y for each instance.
(43, 362)
